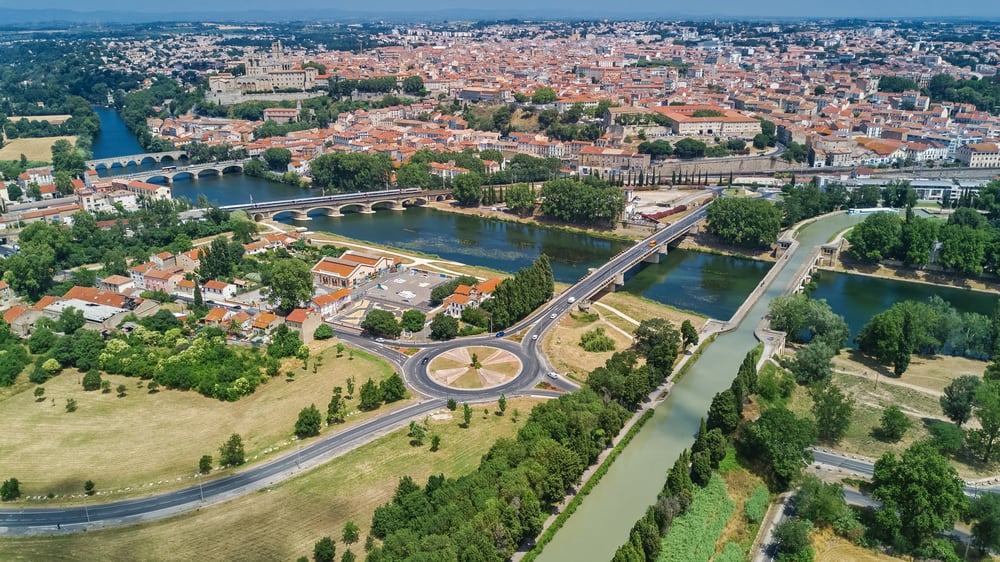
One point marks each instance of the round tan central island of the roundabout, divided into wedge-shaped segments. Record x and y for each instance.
(474, 367)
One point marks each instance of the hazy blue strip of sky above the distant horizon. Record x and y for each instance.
(584, 8)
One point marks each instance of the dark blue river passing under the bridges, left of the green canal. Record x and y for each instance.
(706, 284)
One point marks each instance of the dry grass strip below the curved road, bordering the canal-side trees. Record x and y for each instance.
(283, 522)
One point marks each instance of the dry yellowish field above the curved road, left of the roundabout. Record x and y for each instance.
(151, 438)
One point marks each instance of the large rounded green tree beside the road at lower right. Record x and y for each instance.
(921, 495)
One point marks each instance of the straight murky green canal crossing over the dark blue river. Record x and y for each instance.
(602, 522)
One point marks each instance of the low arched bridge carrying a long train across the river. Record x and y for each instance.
(337, 205)
